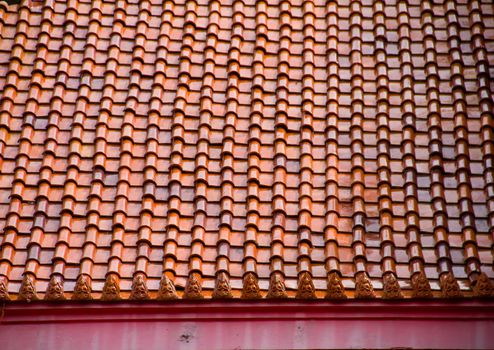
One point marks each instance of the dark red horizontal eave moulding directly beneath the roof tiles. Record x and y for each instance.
(231, 309)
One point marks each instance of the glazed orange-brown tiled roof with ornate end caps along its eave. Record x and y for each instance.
(164, 149)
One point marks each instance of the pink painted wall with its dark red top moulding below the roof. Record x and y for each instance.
(241, 325)
